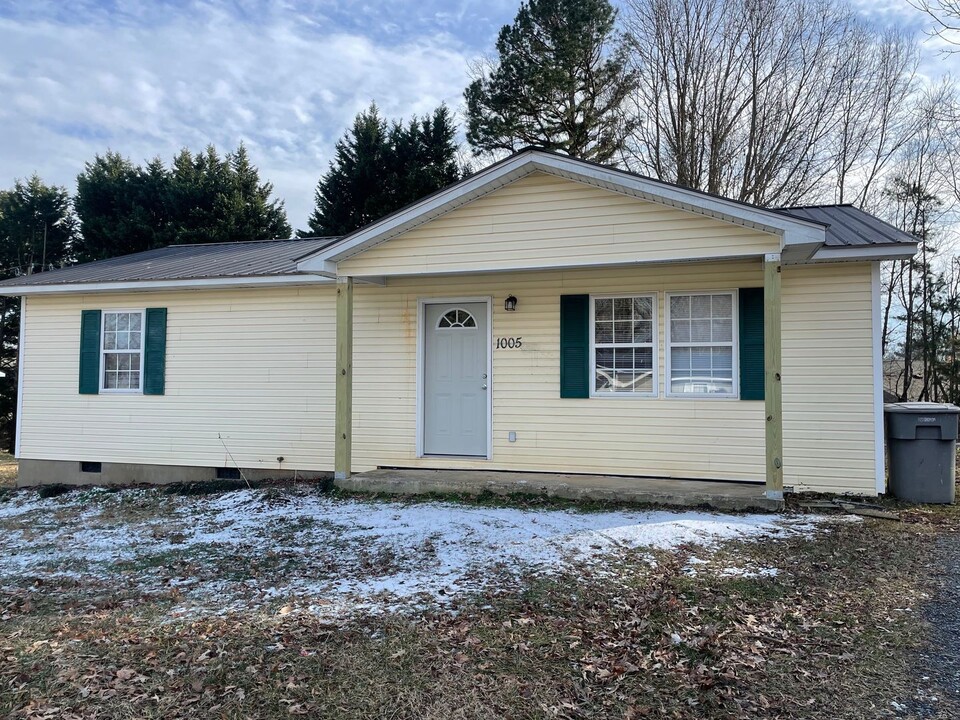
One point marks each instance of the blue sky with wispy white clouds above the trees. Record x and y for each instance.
(147, 77)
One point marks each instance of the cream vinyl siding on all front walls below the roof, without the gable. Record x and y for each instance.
(257, 367)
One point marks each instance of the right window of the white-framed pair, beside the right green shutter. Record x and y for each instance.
(701, 354)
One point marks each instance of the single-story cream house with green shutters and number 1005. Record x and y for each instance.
(545, 314)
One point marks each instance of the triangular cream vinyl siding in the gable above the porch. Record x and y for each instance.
(544, 219)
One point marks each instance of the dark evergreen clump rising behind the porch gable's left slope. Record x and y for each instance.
(378, 169)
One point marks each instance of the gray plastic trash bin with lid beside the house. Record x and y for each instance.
(922, 441)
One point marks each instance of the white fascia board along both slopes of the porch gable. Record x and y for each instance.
(792, 231)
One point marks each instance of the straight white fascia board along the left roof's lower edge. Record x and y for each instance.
(160, 285)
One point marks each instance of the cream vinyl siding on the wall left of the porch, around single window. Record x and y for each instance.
(252, 366)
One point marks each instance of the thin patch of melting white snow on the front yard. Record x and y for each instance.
(244, 548)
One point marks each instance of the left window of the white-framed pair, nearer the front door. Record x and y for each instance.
(624, 345)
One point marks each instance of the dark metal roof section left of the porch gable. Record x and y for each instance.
(259, 258)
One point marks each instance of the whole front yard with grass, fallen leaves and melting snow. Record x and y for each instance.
(794, 624)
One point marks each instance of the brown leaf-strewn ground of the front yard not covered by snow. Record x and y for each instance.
(804, 625)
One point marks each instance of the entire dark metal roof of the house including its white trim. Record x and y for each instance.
(816, 232)
